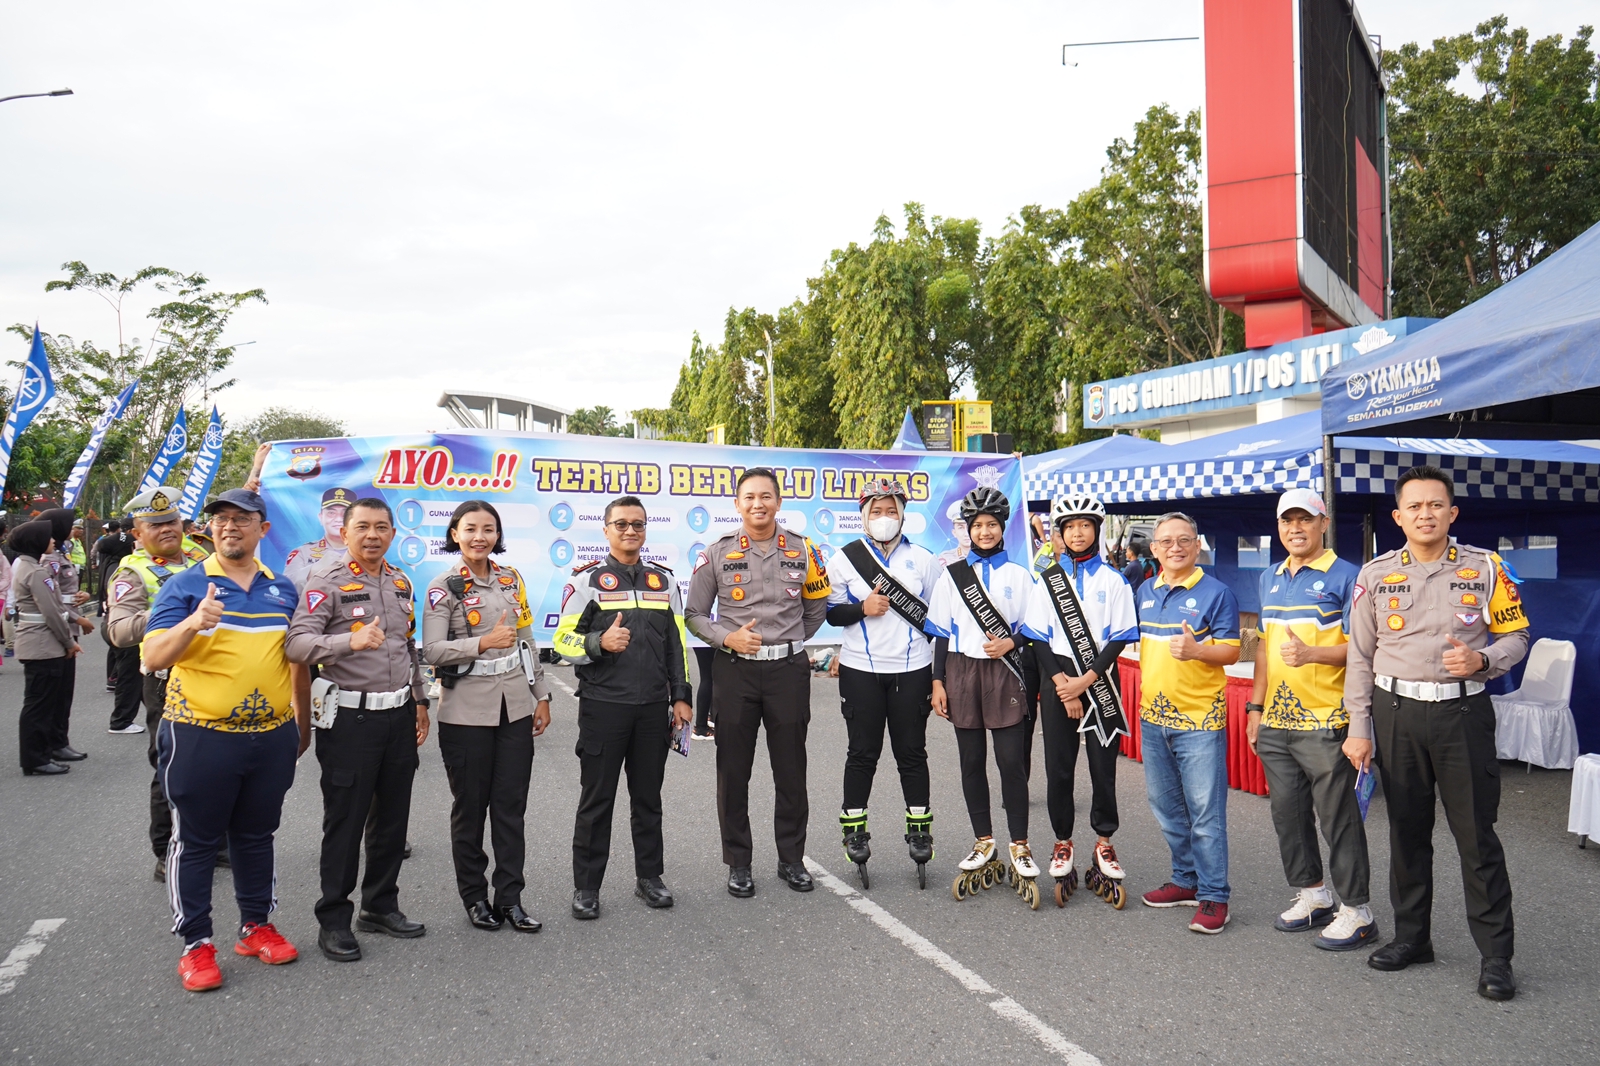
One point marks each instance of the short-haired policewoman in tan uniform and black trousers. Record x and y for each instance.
(495, 700)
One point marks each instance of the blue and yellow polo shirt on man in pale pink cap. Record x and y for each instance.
(1316, 606)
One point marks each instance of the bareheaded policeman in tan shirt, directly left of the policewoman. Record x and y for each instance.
(356, 622)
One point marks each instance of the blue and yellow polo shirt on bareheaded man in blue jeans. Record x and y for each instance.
(1185, 695)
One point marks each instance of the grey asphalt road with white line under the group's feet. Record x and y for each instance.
(892, 976)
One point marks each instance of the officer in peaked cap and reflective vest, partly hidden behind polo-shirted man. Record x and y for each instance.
(132, 590)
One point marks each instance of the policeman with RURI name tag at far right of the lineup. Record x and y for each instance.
(1430, 625)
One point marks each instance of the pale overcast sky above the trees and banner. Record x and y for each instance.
(546, 199)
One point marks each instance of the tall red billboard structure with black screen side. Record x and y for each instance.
(1297, 207)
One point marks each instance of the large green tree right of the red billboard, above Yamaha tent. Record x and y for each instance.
(1489, 178)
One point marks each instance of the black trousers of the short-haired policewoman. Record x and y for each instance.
(489, 769)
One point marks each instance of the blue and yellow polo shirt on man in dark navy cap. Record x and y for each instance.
(234, 678)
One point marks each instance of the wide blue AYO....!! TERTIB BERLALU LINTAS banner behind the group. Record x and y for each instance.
(551, 492)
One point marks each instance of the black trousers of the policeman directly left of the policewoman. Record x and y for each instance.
(369, 761)
